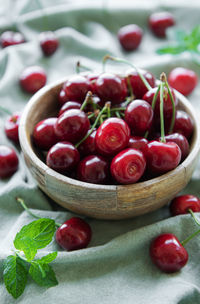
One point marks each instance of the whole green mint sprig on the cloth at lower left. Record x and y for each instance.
(36, 235)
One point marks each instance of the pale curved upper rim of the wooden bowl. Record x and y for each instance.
(27, 148)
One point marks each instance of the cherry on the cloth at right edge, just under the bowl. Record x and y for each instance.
(181, 204)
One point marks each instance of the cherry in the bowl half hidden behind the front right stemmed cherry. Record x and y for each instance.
(181, 141)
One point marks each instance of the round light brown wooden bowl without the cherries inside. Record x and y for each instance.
(101, 201)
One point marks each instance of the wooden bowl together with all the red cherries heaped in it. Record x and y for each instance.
(110, 146)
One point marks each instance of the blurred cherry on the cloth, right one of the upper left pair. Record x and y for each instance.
(48, 43)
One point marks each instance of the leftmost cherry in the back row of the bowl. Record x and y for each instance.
(76, 88)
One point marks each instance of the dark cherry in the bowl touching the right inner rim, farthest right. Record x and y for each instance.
(183, 124)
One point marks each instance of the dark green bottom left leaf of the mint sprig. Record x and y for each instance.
(15, 275)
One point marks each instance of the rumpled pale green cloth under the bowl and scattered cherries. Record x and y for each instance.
(116, 267)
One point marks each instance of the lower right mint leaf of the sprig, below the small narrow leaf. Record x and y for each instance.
(43, 274)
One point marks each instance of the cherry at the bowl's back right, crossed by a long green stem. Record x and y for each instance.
(138, 87)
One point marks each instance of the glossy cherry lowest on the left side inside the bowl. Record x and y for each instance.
(62, 157)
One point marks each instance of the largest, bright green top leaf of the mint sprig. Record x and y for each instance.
(36, 235)
